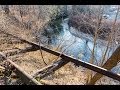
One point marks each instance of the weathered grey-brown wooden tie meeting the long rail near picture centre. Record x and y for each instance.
(50, 68)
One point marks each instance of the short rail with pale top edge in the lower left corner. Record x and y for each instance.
(25, 77)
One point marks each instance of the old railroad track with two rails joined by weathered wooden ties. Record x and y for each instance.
(30, 79)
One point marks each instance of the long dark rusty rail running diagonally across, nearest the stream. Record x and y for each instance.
(74, 60)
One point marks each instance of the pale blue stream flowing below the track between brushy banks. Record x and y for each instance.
(74, 43)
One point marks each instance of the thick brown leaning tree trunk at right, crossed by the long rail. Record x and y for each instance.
(110, 63)
